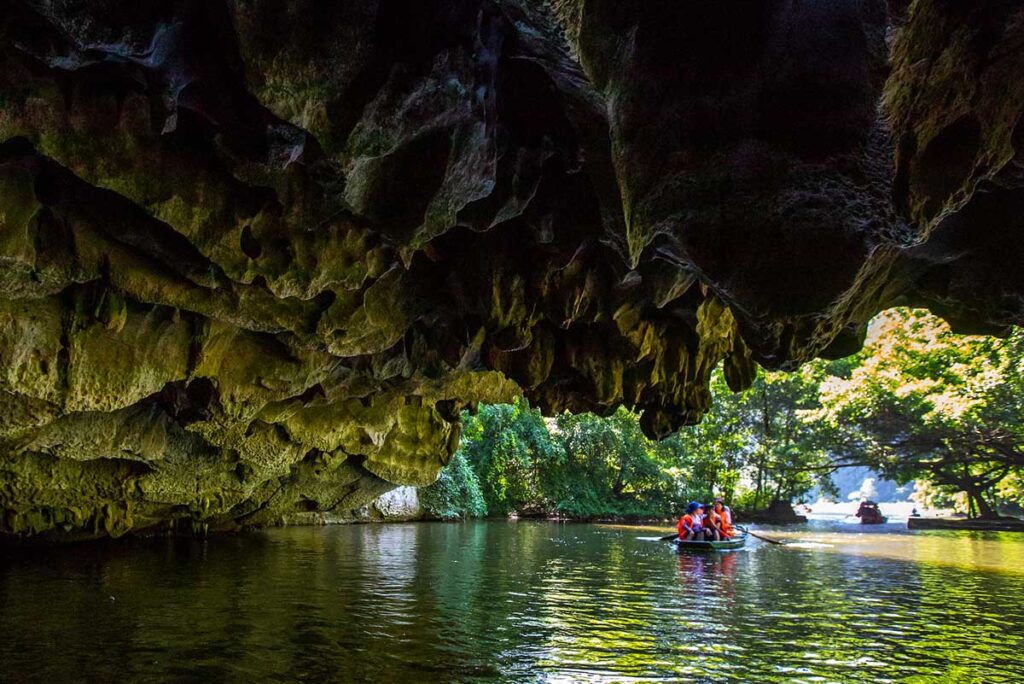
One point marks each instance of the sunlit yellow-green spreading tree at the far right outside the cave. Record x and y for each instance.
(924, 403)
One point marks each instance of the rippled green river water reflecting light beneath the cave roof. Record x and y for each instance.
(527, 602)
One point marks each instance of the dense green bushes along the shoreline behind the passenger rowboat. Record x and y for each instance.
(515, 463)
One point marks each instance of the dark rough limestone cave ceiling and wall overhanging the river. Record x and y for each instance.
(257, 255)
